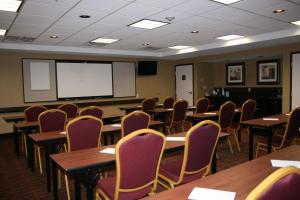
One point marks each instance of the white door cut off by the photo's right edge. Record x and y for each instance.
(295, 71)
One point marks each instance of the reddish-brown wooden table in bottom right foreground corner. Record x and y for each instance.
(241, 179)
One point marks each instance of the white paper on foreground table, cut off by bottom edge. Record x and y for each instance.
(210, 194)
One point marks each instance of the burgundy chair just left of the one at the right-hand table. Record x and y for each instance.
(226, 115)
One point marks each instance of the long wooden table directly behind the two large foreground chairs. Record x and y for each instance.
(80, 163)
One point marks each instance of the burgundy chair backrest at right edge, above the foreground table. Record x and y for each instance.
(292, 128)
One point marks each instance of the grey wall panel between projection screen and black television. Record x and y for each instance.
(124, 79)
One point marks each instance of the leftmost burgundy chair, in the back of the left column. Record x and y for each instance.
(31, 115)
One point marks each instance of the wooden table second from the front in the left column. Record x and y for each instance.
(50, 140)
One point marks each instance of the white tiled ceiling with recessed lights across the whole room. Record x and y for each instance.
(31, 27)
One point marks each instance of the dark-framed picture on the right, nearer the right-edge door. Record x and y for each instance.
(268, 72)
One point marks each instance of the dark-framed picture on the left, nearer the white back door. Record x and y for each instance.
(235, 74)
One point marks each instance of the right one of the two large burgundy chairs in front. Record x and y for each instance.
(199, 147)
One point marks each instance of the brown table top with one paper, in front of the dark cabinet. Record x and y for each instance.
(269, 121)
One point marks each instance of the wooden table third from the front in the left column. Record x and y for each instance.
(28, 127)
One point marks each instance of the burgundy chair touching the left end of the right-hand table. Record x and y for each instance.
(248, 109)
